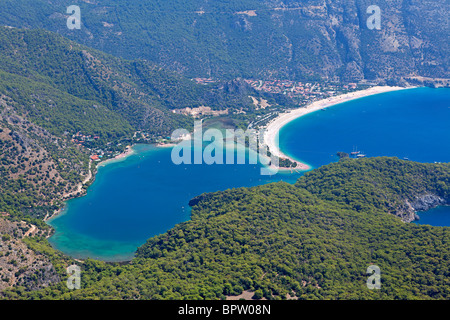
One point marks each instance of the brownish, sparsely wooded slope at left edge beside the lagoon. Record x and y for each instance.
(37, 168)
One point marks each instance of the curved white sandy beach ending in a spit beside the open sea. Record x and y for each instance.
(272, 129)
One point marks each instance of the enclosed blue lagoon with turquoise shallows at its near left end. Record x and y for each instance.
(142, 196)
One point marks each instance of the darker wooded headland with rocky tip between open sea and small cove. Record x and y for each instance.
(370, 186)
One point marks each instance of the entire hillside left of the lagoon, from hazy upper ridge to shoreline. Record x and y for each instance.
(54, 91)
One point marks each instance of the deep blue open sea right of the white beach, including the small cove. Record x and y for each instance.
(412, 124)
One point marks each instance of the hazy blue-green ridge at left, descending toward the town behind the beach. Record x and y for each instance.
(142, 94)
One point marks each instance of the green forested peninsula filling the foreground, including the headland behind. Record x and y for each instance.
(281, 241)
